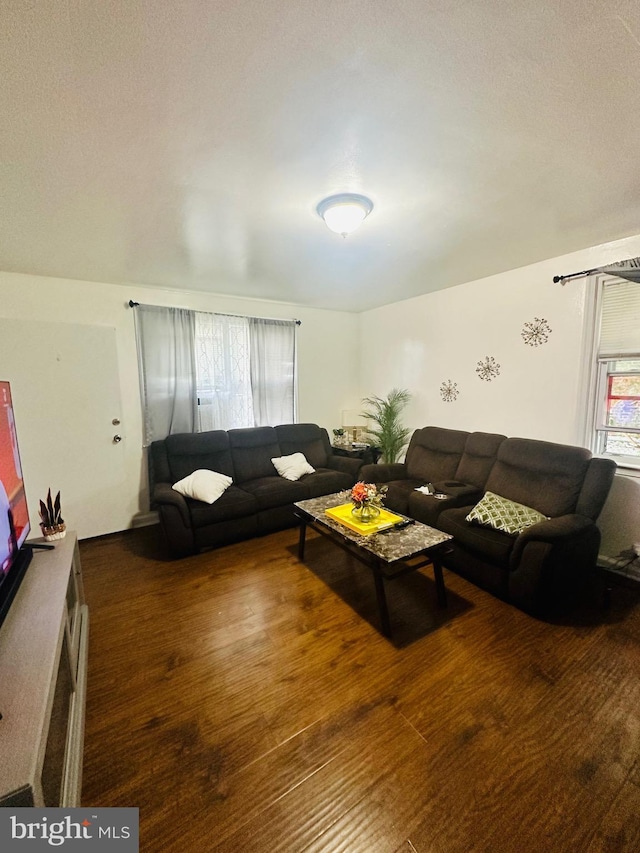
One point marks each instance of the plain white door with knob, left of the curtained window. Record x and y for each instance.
(66, 397)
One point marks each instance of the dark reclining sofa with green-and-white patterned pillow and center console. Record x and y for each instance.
(538, 570)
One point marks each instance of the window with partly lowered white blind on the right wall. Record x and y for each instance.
(616, 384)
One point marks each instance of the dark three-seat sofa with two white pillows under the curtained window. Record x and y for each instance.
(259, 500)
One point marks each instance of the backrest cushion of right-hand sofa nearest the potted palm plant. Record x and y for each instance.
(434, 454)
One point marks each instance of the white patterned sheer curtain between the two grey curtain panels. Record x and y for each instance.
(223, 372)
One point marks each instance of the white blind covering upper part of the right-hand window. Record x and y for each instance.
(620, 325)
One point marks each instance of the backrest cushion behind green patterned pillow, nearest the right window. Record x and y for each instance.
(540, 474)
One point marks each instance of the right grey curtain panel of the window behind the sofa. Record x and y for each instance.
(273, 362)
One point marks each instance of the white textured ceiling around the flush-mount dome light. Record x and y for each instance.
(186, 143)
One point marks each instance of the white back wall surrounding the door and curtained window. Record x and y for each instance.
(327, 361)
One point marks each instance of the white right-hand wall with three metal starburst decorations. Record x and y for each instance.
(539, 392)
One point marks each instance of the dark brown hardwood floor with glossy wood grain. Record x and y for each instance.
(246, 702)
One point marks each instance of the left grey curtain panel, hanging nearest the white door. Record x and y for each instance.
(167, 370)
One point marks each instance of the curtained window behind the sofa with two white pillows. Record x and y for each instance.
(202, 371)
